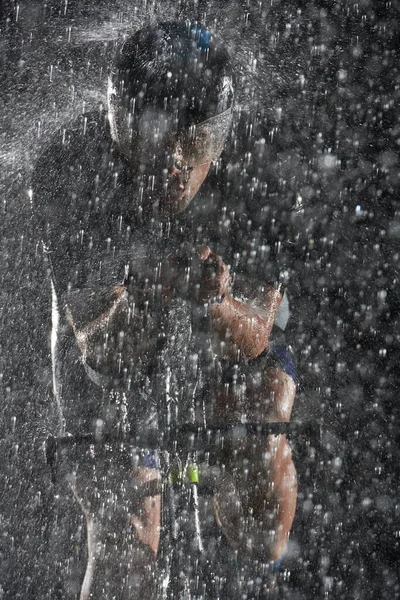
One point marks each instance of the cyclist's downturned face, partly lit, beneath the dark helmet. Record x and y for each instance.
(172, 166)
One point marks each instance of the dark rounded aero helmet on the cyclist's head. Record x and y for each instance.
(179, 70)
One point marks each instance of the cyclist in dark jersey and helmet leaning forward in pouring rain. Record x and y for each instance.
(111, 196)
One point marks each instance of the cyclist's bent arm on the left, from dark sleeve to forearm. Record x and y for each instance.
(78, 222)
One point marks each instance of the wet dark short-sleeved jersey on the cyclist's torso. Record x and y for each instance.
(96, 235)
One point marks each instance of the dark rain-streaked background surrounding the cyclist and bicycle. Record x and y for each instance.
(324, 94)
